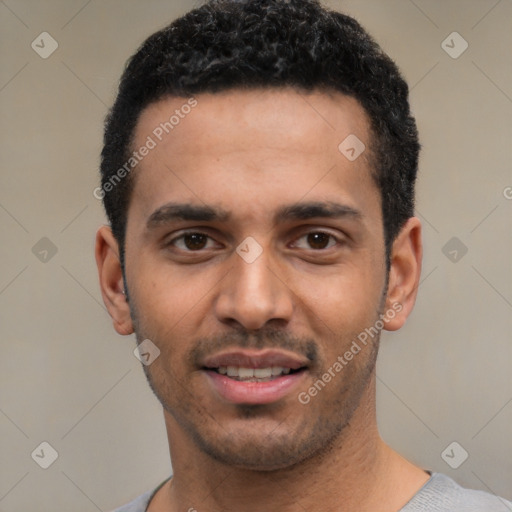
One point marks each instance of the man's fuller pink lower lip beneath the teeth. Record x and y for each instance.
(240, 392)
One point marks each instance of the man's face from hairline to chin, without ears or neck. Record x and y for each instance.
(260, 172)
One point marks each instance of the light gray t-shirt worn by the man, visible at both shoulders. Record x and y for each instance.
(439, 494)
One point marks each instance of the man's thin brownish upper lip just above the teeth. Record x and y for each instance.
(255, 359)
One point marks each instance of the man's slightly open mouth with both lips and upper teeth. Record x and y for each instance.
(247, 377)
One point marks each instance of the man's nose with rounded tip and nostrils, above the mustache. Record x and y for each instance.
(254, 294)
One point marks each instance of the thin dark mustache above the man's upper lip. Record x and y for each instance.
(257, 340)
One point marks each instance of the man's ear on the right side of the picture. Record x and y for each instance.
(404, 274)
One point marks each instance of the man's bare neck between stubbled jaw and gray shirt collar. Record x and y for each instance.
(358, 472)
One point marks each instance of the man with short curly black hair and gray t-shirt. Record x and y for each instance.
(258, 173)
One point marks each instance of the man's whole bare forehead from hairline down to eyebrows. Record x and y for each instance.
(253, 151)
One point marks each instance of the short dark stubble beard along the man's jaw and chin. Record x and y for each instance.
(263, 446)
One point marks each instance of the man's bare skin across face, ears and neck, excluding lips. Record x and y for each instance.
(249, 154)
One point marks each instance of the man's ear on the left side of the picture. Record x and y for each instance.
(111, 280)
